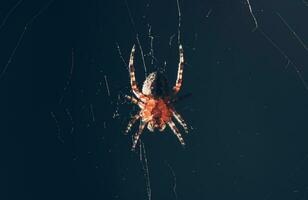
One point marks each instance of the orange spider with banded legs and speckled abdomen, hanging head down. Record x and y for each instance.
(155, 101)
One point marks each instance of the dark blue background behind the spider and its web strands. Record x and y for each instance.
(248, 107)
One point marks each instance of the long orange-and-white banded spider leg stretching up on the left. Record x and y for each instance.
(133, 82)
